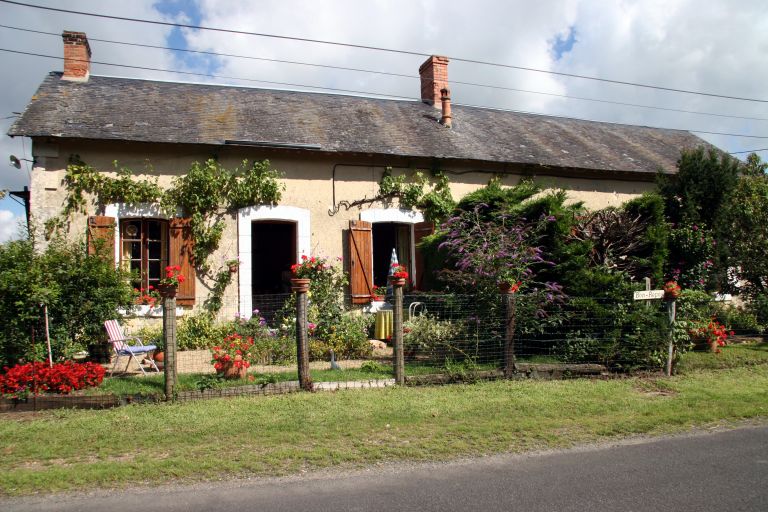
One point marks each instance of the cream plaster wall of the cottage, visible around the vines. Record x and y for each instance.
(309, 185)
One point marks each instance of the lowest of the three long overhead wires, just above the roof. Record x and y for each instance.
(367, 93)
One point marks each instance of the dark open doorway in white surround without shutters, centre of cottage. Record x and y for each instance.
(273, 252)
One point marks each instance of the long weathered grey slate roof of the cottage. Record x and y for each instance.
(107, 108)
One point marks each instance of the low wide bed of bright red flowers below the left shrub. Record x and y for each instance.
(62, 378)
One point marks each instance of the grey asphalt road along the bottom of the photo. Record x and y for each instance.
(721, 471)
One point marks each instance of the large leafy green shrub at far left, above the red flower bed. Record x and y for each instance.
(81, 291)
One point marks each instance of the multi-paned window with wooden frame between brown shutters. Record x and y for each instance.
(144, 250)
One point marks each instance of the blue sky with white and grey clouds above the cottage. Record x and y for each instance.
(718, 47)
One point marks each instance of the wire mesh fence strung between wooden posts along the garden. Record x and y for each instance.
(455, 337)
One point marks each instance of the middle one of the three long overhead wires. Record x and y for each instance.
(386, 73)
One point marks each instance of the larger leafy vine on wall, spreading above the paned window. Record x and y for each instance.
(205, 192)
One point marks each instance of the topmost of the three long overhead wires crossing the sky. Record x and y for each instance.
(381, 49)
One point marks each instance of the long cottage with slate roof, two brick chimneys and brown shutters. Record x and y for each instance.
(330, 148)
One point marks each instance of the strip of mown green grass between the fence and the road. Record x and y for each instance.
(207, 439)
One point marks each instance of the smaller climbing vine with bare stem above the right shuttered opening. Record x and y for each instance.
(432, 198)
